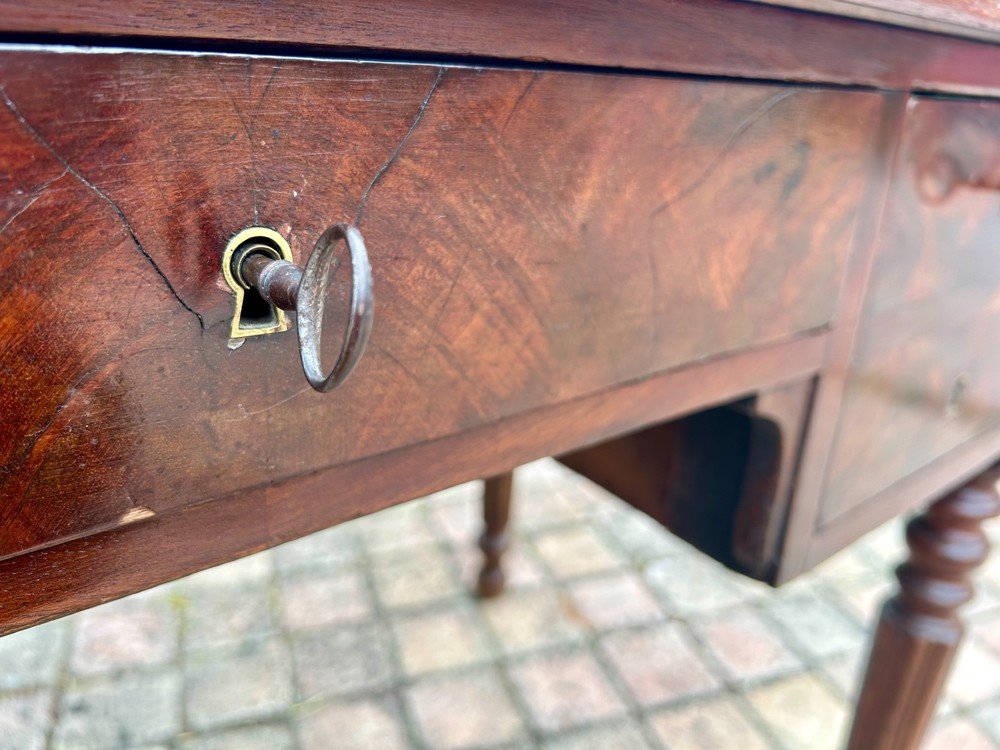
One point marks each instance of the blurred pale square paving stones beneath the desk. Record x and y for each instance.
(612, 635)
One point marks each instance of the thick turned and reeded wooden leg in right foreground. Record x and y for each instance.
(919, 630)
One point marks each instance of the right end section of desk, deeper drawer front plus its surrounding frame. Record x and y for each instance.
(908, 404)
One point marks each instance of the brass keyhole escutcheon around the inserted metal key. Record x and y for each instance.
(252, 314)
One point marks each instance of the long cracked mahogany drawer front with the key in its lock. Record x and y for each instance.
(535, 236)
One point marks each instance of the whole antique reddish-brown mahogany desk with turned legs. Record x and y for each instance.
(737, 261)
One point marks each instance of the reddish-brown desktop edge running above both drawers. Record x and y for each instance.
(708, 37)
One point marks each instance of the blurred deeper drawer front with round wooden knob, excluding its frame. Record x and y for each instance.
(925, 374)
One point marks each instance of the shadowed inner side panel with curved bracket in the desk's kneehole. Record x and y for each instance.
(720, 479)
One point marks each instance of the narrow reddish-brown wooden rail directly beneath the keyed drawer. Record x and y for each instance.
(46, 584)
